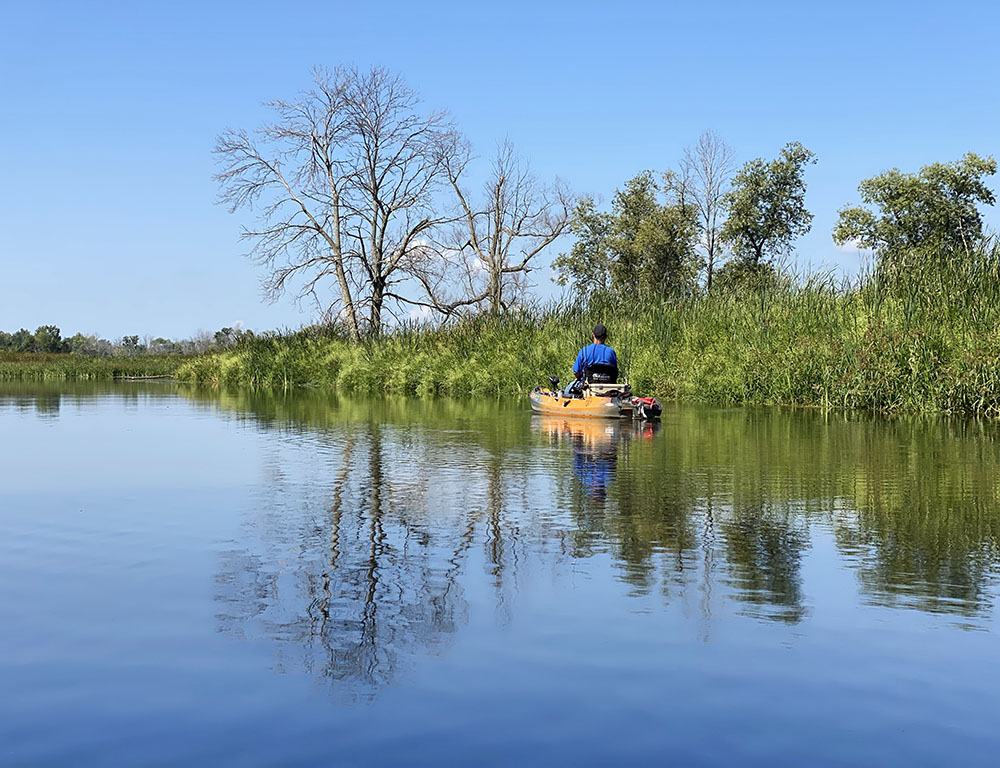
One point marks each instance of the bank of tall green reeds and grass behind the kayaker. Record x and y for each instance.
(920, 341)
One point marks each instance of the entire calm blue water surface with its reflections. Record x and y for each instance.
(233, 579)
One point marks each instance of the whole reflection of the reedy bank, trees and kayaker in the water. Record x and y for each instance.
(357, 572)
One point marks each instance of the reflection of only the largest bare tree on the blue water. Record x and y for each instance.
(356, 578)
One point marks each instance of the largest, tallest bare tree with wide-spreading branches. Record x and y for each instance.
(345, 179)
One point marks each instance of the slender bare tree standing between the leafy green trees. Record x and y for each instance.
(708, 167)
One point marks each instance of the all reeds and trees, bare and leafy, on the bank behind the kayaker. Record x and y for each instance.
(682, 267)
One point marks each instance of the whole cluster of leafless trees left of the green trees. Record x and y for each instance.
(349, 181)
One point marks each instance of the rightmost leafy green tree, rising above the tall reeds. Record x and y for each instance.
(934, 211)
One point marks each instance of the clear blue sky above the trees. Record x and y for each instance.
(108, 221)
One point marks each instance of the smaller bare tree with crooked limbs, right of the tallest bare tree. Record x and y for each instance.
(494, 246)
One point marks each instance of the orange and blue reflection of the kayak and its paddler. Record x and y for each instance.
(595, 446)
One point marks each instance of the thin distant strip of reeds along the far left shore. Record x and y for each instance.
(46, 367)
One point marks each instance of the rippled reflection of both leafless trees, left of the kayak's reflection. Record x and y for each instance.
(355, 576)
